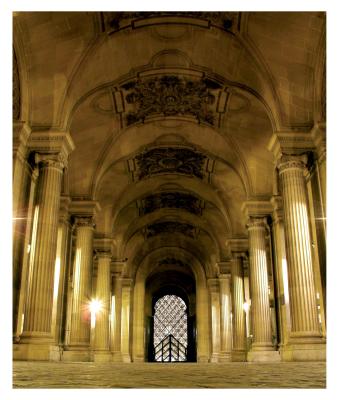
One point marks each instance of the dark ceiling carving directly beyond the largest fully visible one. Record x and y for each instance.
(170, 160)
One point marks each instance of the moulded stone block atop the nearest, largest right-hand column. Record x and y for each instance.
(290, 143)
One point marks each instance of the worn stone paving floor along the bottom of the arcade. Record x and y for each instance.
(185, 375)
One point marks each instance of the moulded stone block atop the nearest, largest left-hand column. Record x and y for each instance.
(53, 142)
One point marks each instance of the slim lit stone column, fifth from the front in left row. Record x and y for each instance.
(126, 296)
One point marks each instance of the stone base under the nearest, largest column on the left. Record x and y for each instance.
(36, 352)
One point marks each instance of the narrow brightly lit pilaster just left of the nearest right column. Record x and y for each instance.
(280, 266)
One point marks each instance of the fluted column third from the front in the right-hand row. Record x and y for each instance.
(239, 317)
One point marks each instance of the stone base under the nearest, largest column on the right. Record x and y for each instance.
(315, 351)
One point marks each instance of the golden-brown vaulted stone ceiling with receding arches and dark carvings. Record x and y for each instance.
(171, 114)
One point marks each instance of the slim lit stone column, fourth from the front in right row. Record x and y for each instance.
(225, 318)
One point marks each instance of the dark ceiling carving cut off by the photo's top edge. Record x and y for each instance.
(113, 21)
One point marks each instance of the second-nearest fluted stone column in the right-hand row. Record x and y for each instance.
(262, 346)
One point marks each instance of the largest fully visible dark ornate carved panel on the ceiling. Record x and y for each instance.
(171, 95)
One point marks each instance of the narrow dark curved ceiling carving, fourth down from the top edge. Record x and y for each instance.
(179, 200)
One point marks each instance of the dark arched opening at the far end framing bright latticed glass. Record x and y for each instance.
(171, 323)
